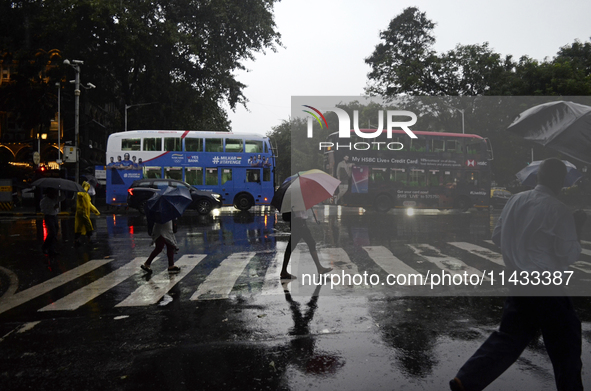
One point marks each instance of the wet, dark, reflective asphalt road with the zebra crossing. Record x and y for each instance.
(91, 320)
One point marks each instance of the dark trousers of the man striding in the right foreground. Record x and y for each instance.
(523, 318)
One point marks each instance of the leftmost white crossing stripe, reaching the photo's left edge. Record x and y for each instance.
(7, 303)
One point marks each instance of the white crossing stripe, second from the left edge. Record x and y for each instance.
(82, 296)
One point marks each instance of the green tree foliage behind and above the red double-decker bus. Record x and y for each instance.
(404, 64)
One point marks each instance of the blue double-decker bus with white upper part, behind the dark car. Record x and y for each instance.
(240, 167)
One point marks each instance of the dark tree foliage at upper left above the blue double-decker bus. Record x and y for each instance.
(179, 55)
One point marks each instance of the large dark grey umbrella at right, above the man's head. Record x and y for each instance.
(562, 126)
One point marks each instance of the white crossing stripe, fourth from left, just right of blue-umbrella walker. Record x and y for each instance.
(221, 280)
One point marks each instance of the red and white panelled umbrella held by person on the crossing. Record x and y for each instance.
(303, 190)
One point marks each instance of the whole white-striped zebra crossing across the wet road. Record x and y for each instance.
(220, 281)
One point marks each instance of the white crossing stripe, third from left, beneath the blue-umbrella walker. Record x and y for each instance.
(160, 284)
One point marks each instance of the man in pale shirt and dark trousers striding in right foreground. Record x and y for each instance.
(536, 233)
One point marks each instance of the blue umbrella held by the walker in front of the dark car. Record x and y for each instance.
(168, 205)
